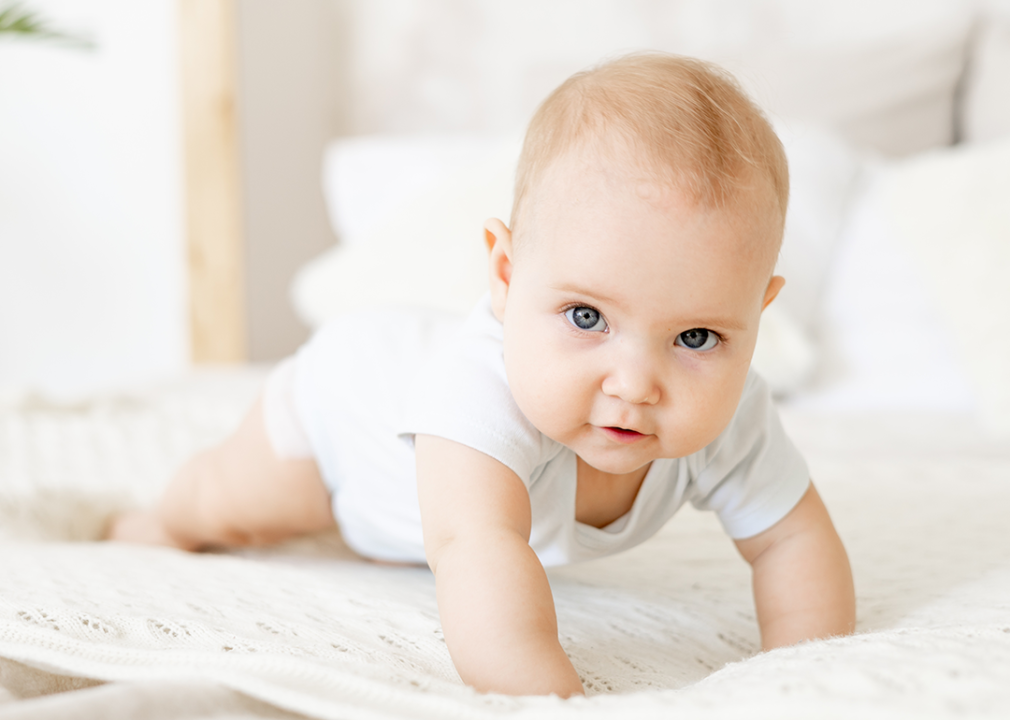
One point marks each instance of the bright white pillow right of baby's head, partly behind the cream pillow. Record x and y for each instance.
(878, 330)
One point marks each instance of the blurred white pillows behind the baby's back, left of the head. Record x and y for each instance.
(411, 215)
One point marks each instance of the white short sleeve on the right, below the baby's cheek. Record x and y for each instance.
(753, 475)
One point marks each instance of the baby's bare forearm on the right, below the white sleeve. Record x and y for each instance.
(802, 582)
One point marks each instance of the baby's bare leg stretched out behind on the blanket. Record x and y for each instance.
(239, 493)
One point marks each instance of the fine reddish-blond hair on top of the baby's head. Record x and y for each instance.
(689, 123)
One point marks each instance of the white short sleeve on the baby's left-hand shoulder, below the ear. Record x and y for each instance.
(462, 394)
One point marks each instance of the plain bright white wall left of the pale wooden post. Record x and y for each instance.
(92, 278)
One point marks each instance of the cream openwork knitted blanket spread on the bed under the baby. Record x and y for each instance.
(666, 631)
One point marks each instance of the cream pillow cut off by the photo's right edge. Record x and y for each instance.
(951, 212)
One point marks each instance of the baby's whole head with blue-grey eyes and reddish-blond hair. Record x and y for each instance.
(650, 204)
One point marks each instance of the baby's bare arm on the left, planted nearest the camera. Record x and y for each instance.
(495, 603)
